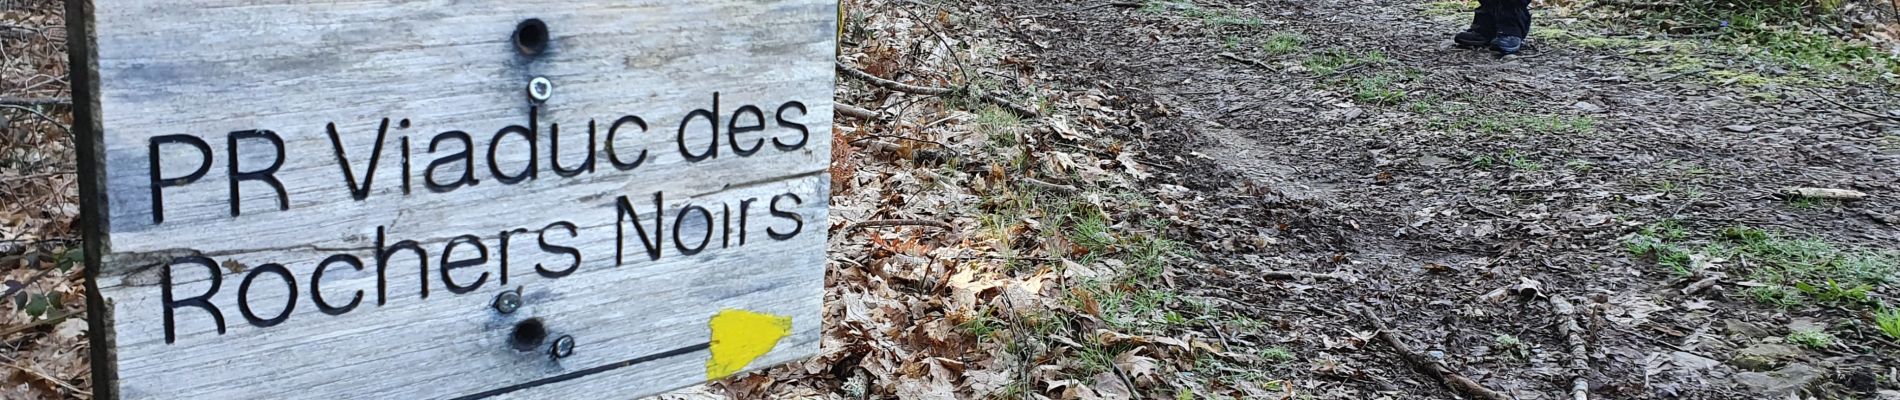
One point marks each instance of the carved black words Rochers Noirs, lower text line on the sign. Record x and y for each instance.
(465, 261)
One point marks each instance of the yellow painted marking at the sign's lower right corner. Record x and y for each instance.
(742, 336)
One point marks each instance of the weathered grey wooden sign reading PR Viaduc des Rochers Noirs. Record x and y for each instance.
(451, 200)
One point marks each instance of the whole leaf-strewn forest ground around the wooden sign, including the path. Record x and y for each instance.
(1259, 200)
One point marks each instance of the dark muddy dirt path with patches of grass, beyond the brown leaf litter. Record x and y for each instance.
(1437, 175)
